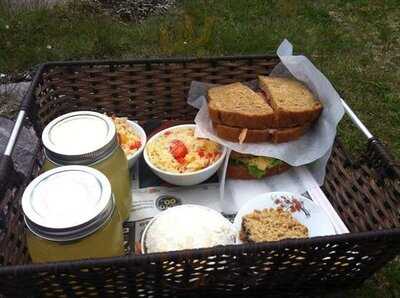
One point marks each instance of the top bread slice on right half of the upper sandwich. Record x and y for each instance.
(293, 103)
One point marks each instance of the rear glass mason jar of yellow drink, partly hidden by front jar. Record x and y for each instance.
(90, 139)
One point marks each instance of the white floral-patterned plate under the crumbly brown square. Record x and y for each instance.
(317, 222)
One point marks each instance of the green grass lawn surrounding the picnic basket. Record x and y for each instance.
(354, 43)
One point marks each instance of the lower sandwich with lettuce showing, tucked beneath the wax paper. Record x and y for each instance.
(245, 166)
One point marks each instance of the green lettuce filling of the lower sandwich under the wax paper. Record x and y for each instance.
(257, 166)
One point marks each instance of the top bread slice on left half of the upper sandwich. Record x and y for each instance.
(237, 105)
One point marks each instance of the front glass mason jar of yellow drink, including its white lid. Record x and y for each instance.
(70, 214)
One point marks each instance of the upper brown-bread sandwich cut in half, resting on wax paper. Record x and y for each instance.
(283, 111)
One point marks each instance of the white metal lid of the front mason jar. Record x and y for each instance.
(67, 203)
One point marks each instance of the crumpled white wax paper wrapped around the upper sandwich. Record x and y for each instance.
(312, 149)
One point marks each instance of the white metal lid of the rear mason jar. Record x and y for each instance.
(79, 138)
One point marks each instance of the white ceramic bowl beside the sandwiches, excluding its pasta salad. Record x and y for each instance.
(184, 179)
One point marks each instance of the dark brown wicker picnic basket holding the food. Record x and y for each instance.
(365, 192)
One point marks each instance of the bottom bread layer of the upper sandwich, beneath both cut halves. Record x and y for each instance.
(282, 135)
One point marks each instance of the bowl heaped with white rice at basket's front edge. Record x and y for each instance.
(187, 227)
